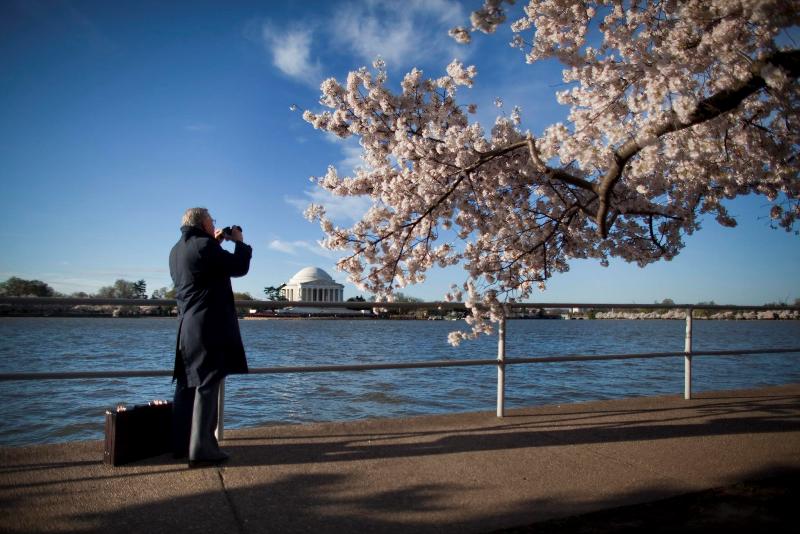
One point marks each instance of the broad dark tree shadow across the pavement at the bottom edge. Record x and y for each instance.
(316, 503)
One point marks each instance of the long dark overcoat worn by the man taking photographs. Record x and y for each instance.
(209, 344)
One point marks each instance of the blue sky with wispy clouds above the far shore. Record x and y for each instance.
(117, 116)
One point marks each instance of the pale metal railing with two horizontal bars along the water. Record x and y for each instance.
(501, 362)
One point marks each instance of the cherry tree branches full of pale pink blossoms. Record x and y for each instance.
(674, 107)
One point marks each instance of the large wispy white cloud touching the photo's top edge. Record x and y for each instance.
(394, 30)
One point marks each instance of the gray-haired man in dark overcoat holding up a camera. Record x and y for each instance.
(209, 344)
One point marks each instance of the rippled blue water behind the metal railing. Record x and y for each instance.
(56, 411)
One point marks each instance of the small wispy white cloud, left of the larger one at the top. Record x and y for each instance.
(291, 52)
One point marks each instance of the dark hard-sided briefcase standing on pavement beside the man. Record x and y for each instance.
(142, 431)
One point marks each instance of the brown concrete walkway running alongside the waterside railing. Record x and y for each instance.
(452, 473)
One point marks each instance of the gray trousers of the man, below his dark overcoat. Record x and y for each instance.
(195, 412)
